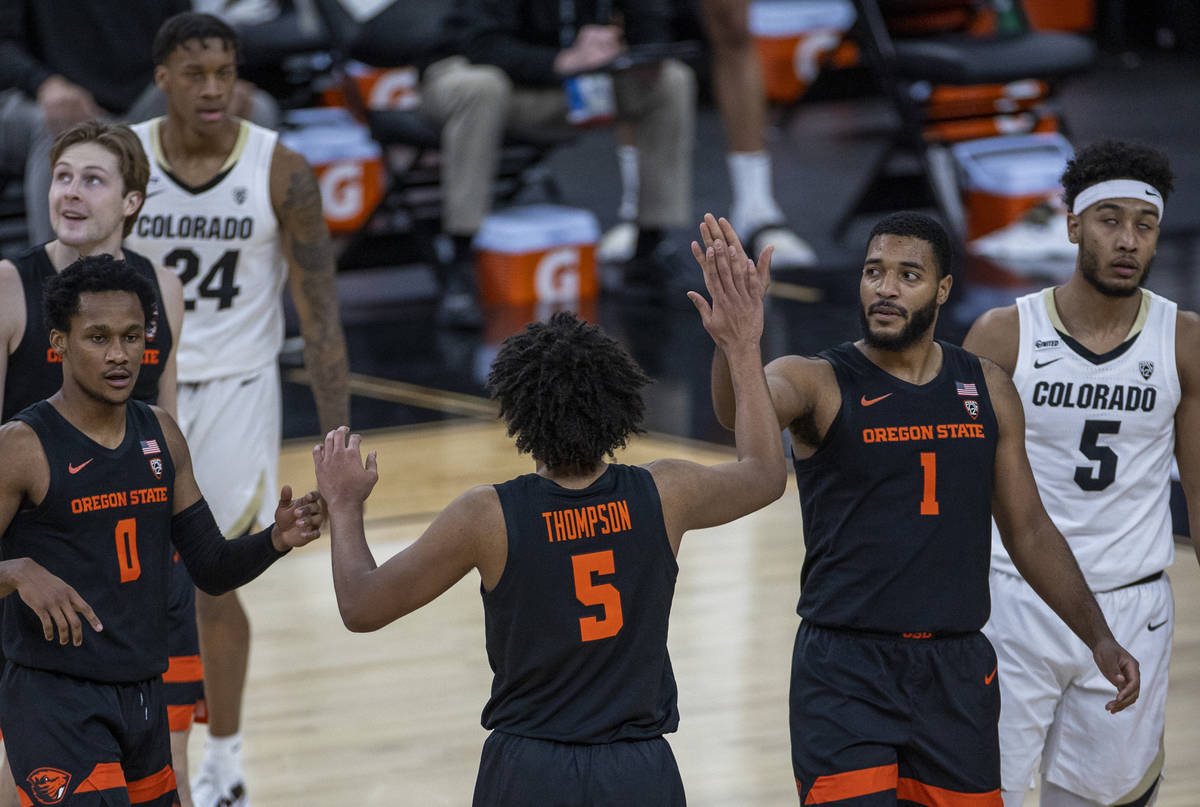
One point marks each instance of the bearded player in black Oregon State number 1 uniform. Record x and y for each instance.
(904, 449)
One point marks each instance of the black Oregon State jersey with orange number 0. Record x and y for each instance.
(105, 529)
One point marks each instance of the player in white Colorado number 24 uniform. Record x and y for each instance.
(236, 216)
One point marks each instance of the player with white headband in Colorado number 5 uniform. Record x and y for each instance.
(1111, 380)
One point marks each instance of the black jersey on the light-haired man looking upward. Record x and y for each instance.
(35, 372)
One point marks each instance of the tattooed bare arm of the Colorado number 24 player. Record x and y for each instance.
(311, 267)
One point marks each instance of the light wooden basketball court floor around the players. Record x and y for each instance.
(393, 718)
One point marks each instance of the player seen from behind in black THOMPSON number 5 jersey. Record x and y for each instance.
(578, 561)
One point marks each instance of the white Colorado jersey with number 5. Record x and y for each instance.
(1100, 432)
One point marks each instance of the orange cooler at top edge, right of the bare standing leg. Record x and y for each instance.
(793, 39)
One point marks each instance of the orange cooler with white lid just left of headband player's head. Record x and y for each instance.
(1004, 177)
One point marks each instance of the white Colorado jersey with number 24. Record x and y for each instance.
(223, 240)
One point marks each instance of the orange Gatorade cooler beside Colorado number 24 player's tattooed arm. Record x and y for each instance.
(347, 163)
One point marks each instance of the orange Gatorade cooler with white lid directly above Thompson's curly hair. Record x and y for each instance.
(537, 254)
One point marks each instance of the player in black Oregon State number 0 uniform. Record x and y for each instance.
(97, 494)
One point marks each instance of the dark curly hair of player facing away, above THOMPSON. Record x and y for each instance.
(568, 392)
